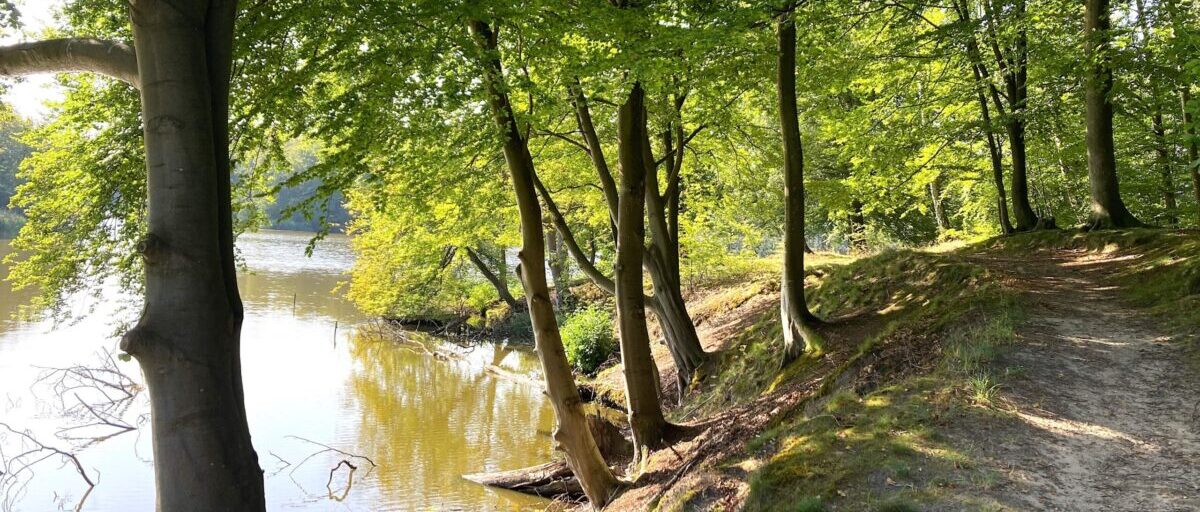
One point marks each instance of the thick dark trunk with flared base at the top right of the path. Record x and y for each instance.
(1108, 209)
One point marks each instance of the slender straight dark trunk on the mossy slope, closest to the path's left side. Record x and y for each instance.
(795, 316)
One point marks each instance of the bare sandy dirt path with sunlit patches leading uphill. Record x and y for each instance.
(1109, 409)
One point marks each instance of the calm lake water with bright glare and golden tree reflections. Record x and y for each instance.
(313, 374)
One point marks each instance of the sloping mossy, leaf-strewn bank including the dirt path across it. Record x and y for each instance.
(1041, 372)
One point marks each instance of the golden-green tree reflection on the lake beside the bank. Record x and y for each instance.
(429, 421)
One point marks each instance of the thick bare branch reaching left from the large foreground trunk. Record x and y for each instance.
(109, 58)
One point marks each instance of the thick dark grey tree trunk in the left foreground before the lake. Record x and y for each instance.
(188, 341)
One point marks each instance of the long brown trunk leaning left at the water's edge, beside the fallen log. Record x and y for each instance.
(573, 435)
